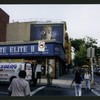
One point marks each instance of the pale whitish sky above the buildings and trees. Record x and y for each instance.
(82, 19)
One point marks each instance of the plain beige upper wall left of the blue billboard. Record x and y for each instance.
(18, 31)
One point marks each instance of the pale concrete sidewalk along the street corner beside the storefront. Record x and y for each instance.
(65, 82)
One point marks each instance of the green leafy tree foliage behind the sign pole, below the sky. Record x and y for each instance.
(81, 46)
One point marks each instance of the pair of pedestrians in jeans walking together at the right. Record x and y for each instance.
(78, 82)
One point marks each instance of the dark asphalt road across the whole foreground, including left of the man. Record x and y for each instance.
(48, 91)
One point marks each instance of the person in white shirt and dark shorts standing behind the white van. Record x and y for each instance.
(38, 71)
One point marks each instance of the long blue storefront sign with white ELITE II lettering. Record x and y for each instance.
(26, 50)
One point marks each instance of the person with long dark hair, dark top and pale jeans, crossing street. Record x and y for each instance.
(77, 79)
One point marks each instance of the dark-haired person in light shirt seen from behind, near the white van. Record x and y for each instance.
(19, 86)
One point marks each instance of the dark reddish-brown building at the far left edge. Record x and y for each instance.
(4, 20)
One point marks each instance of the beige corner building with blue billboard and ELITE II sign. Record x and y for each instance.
(30, 41)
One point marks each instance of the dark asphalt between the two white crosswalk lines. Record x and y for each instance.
(58, 91)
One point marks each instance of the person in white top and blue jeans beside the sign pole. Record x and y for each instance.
(87, 78)
